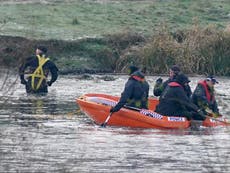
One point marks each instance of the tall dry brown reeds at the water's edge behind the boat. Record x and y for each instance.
(197, 50)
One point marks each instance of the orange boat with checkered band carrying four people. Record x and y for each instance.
(97, 107)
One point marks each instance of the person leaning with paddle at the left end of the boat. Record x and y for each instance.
(135, 93)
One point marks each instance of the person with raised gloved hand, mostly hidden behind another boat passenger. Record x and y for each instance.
(160, 85)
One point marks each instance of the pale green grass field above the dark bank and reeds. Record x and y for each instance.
(73, 19)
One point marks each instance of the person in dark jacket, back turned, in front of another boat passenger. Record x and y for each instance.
(175, 102)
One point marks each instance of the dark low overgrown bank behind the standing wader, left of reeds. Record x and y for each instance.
(88, 55)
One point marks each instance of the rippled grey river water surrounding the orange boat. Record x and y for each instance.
(50, 134)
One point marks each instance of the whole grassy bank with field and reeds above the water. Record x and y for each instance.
(107, 36)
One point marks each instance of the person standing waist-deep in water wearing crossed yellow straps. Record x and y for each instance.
(38, 68)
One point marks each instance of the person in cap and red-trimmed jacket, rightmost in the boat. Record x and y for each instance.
(204, 96)
